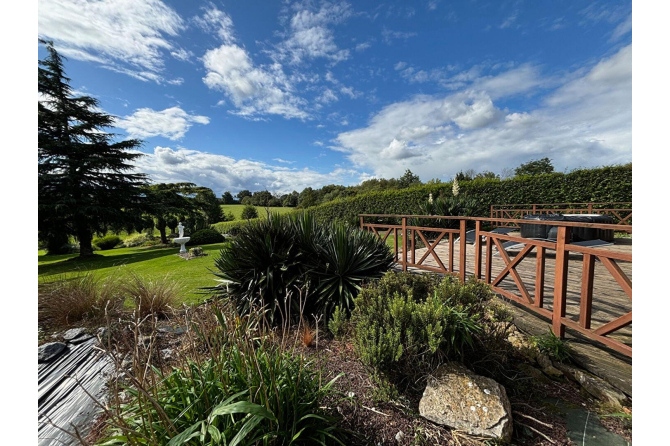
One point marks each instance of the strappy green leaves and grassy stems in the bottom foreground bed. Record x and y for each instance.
(248, 392)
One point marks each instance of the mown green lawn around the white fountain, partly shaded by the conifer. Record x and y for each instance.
(148, 263)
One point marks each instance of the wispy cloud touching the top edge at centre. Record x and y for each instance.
(309, 35)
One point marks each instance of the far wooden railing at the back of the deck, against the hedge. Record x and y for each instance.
(621, 212)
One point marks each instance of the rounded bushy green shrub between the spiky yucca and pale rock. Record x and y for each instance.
(406, 319)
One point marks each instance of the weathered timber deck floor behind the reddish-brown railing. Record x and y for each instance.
(609, 302)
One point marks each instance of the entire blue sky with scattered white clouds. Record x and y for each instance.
(284, 95)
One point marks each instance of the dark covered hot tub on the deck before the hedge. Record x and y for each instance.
(577, 234)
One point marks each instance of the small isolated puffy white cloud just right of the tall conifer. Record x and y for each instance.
(170, 123)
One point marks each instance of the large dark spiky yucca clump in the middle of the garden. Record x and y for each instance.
(271, 258)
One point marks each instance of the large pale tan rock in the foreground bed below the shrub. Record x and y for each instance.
(458, 398)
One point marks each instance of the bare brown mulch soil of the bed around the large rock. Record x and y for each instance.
(373, 419)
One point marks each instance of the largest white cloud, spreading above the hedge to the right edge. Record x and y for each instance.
(586, 121)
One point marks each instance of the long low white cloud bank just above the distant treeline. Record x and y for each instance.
(222, 173)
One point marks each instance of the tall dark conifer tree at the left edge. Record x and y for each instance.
(85, 179)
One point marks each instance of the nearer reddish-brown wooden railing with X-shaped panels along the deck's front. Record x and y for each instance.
(448, 249)
